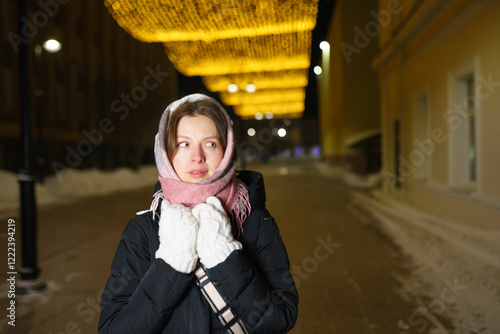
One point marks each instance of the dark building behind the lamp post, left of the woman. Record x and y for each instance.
(95, 103)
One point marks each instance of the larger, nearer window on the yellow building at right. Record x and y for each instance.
(463, 128)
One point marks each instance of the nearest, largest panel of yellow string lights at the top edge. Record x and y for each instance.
(192, 20)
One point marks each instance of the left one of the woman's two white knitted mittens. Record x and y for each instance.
(177, 231)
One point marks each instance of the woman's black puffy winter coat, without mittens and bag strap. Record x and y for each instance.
(145, 295)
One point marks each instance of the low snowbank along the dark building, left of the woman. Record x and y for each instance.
(72, 184)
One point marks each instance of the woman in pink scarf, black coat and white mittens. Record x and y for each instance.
(207, 257)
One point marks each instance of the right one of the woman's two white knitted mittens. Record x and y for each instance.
(215, 240)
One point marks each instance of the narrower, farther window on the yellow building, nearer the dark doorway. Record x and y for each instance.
(422, 150)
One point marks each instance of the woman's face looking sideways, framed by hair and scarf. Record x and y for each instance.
(198, 149)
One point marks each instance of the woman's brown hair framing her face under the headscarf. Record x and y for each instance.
(205, 107)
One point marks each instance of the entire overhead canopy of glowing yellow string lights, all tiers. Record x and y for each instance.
(232, 44)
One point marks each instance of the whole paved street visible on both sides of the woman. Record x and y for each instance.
(346, 271)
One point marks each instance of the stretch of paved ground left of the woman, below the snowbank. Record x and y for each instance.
(76, 246)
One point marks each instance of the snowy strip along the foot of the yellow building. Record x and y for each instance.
(457, 272)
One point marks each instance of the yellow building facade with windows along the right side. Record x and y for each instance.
(438, 64)
